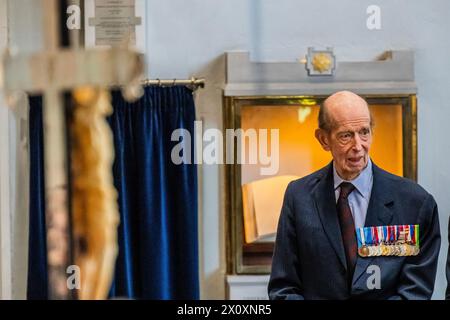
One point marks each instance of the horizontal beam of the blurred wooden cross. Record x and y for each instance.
(66, 69)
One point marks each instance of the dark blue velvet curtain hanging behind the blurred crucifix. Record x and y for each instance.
(158, 246)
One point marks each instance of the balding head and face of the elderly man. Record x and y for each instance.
(350, 137)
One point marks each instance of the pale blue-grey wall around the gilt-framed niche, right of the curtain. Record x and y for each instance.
(188, 38)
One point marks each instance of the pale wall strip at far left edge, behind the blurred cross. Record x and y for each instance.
(20, 30)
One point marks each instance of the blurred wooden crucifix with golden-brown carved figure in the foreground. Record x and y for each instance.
(81, 208)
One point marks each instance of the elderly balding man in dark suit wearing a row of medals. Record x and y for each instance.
(317, 253)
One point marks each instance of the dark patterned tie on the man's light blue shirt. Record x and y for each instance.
(347, 228)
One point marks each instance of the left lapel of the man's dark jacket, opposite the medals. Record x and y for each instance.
(325, 201)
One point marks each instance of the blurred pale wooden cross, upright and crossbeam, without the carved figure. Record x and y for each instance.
(53, 73)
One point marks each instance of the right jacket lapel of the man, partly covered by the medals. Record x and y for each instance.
(379, 213)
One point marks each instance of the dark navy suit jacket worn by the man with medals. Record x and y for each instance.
(309, 257)
